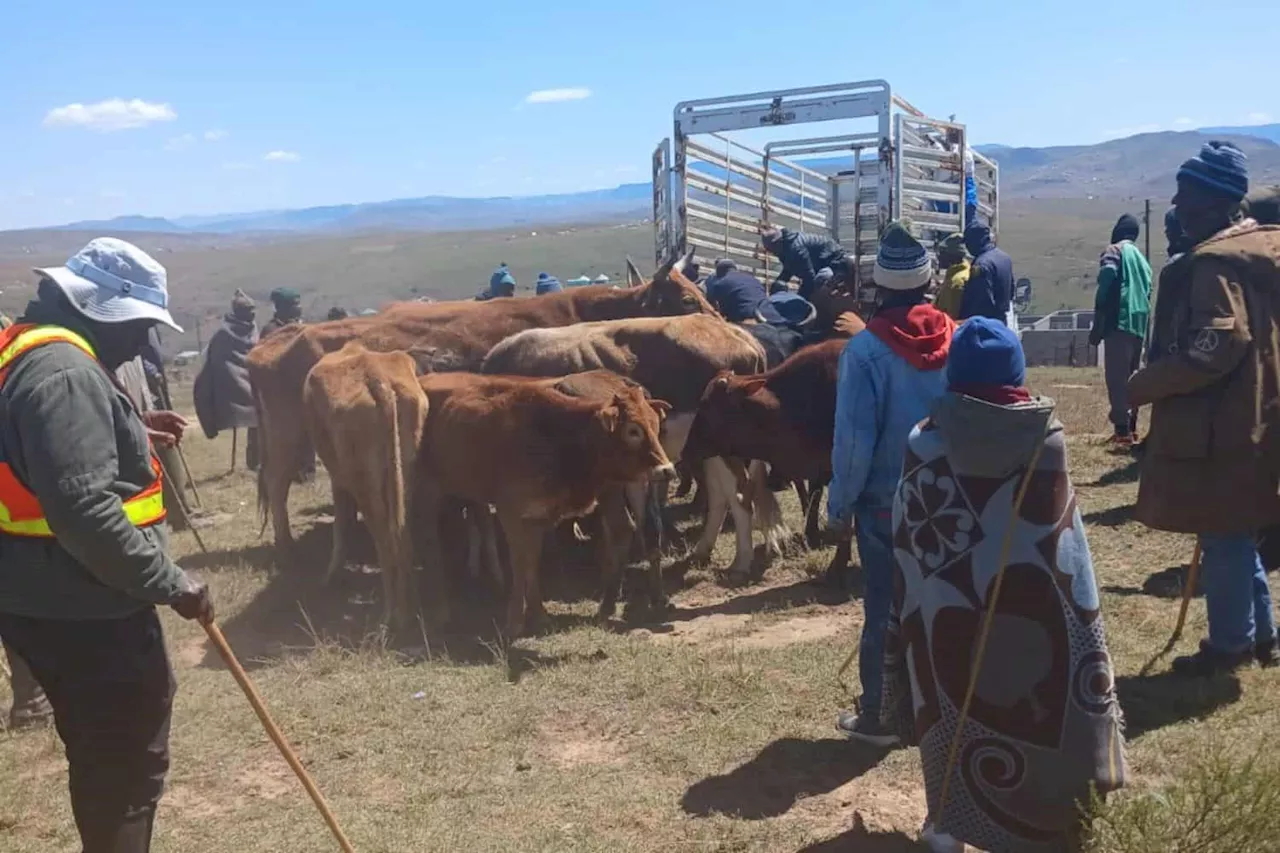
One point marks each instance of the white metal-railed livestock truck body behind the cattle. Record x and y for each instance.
(715, 185)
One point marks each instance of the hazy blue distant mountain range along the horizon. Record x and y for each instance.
(1136, 167)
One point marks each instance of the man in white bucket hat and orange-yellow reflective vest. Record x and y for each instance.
(83, 539)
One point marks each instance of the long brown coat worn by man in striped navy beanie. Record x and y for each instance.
(1213, 462)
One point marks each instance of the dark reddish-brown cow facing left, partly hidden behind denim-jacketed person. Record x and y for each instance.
(785, 417)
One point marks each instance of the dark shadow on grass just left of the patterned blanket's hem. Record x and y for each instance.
(781, 774)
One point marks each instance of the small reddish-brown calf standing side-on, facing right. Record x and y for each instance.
(538, 455)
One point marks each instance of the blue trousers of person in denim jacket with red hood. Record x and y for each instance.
(875, 536)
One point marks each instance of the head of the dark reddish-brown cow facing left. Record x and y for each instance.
(735, 417)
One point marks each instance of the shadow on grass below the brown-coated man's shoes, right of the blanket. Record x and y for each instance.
(1164, 700)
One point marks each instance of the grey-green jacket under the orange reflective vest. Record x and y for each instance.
(77, 443)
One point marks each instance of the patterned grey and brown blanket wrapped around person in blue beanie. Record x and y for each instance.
(1045, 724)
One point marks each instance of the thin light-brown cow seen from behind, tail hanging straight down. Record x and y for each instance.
(365, 412)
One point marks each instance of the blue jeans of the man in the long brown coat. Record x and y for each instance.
(1237, 595)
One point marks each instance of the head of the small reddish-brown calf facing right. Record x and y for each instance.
(627, 439)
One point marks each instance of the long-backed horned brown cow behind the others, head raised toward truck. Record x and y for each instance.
(444, 336)
